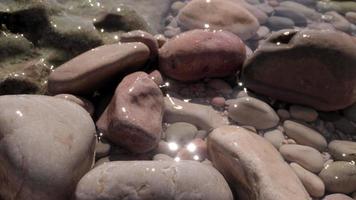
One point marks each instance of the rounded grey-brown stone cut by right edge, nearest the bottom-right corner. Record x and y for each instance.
(339, 177)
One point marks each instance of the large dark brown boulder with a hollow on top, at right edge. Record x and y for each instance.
(293, 80)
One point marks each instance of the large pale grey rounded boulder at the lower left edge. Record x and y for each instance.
(46, 146)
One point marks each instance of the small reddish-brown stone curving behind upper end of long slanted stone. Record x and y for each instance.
(143, 37)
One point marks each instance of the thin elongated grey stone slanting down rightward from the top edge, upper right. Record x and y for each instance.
(309, 13)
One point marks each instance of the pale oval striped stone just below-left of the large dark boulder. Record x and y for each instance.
(253, 112)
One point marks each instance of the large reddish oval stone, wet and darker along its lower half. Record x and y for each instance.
(199, 54)
